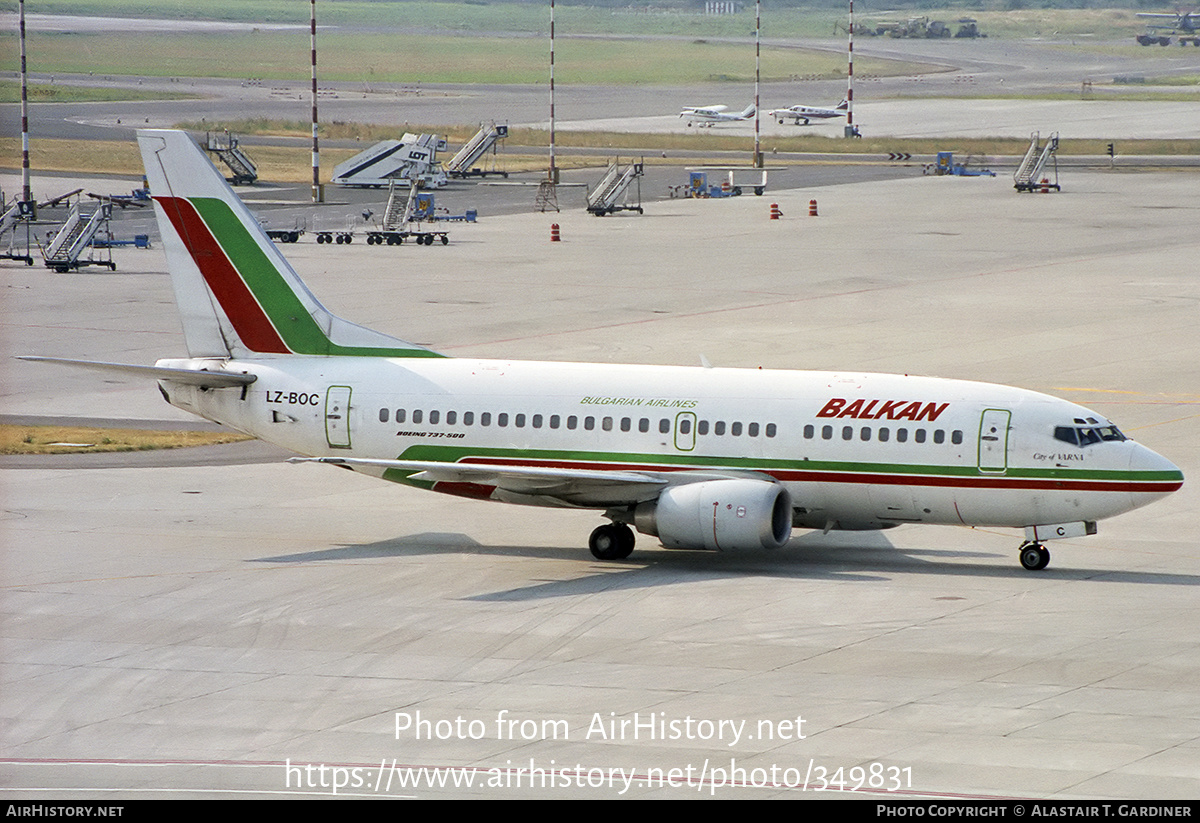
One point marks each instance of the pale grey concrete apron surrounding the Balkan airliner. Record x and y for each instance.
(197, 632)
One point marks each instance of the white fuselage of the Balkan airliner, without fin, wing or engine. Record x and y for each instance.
(854, 450)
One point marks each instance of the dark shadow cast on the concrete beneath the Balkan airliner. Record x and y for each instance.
(867, 557)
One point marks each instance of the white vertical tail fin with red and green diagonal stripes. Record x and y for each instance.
(237, 293)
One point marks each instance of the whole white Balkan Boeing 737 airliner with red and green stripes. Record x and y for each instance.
(717, 459)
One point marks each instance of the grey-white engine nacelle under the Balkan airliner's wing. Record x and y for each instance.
(719, 514)
